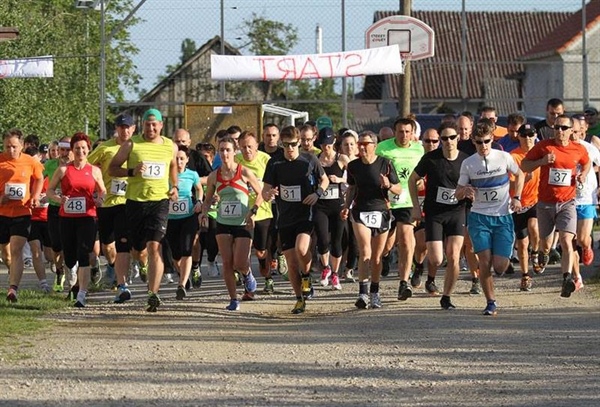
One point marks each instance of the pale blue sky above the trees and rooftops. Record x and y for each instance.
(168, 22)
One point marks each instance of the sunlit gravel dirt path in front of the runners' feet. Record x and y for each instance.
(540, 350)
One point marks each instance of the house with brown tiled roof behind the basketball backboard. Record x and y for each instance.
(515, 61)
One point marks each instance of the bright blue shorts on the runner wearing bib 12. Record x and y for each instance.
(495, 233)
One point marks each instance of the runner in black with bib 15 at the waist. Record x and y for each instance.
(370, 180)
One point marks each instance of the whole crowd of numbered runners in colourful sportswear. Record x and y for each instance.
(456, 191)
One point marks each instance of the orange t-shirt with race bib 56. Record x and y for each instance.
(16, 175)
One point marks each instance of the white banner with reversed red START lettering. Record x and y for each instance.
(375, 61)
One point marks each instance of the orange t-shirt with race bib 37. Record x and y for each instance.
(557, 180)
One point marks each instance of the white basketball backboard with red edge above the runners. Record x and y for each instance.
(415, 38)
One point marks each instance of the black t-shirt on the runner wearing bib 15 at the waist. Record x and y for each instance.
(369, 194)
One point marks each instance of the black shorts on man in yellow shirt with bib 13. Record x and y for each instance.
(146, 221)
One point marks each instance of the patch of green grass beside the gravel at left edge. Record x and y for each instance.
(22, 319)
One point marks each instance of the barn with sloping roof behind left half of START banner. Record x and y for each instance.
(191, 83)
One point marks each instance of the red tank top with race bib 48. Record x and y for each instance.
(79, 186)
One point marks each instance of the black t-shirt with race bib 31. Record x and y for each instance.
(295, 180)
